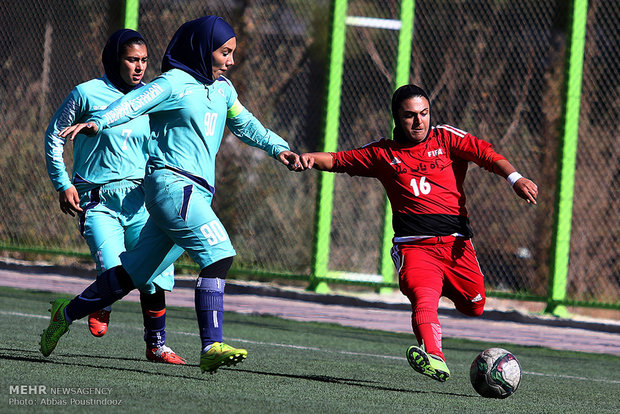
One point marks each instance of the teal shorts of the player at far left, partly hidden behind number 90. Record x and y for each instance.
(113, 217)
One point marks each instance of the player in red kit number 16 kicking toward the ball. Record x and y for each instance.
(423, 170)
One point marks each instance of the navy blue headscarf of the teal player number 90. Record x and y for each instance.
(192, 45)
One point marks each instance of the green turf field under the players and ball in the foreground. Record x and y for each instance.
(292, 367)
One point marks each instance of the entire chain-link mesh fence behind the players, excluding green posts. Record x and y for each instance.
(493, 68)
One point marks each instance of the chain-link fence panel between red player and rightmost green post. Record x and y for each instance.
(493, 77)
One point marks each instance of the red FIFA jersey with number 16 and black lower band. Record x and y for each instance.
(423, 182)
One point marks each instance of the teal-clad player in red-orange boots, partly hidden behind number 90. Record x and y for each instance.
(106, 187)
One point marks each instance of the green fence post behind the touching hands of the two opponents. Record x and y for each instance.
(325, 191)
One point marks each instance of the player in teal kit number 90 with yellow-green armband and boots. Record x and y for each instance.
(189, 105)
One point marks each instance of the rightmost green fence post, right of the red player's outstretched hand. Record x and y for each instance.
(565, 179)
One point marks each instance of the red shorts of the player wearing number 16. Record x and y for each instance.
(441, 266)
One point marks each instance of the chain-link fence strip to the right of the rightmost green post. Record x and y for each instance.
(595, 241)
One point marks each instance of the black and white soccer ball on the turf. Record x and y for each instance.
(495, 373)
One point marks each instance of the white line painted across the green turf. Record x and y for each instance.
(314, 349)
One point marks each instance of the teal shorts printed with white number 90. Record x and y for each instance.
(181, 219)
